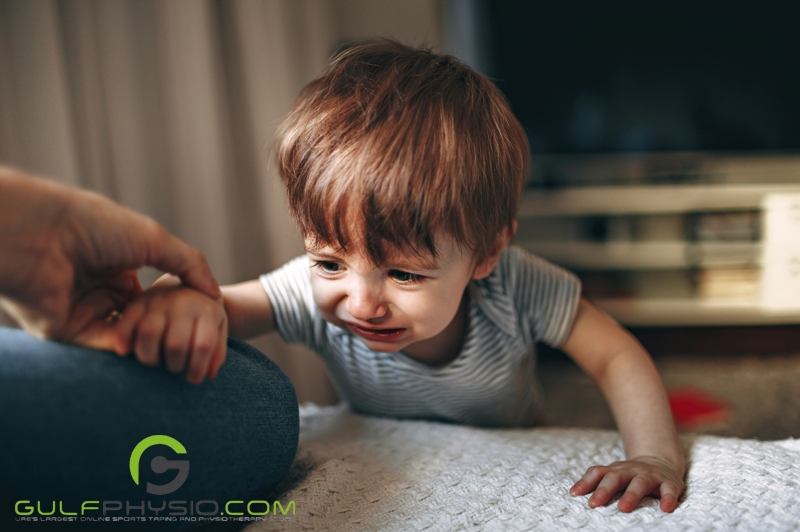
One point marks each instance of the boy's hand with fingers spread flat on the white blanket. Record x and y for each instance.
(641, 476)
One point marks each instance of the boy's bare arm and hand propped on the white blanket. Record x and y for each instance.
(633, 388)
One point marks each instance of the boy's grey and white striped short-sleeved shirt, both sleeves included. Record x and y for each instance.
(492, 382)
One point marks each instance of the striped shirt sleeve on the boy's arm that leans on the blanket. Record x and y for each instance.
(545, 295)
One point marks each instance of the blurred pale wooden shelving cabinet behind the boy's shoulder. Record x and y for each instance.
(669, 239)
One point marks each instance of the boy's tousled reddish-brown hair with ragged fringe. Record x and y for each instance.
(392, 145)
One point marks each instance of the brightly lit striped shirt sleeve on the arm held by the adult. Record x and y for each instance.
(289, 291)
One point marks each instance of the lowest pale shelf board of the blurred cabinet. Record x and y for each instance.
(695, 312)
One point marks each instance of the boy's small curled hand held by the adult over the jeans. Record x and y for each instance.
(179, 325)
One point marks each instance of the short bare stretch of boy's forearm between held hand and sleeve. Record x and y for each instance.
(249, 310)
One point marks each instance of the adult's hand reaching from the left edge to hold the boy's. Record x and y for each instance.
(69, 256)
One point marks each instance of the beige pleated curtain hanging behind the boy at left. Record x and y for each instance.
(170, 107)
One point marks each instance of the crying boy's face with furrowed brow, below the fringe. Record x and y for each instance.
(406, 306)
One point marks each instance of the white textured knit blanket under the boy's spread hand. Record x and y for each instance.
(363, 473)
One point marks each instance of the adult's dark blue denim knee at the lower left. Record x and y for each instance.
(74, 425)
